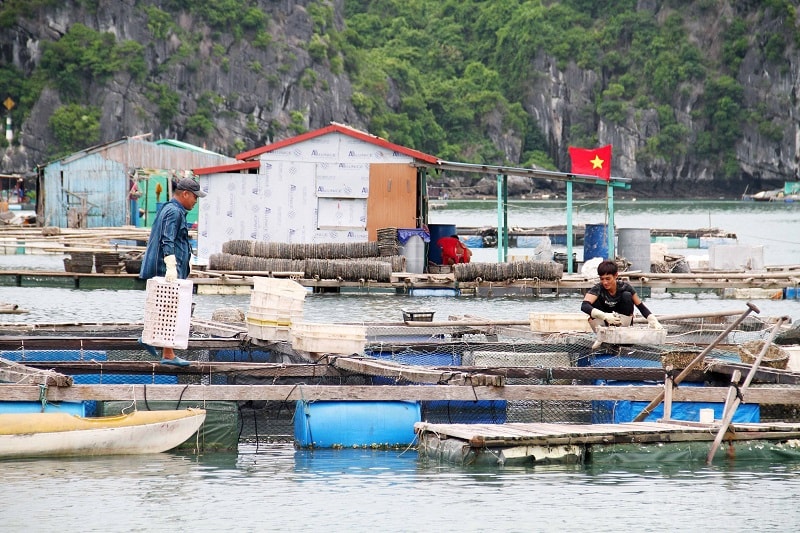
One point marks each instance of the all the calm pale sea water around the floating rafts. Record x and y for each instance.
(278, 488)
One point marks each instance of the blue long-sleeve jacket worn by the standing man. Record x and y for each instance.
(168, 236)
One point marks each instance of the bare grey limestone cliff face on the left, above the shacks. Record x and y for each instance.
(253, 90)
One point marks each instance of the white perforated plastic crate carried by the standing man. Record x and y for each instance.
(167, 313)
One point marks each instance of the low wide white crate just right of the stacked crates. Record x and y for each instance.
(329, 338)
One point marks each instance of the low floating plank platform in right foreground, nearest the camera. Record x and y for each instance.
(530, 443)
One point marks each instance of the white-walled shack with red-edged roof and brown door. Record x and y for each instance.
(334, 184)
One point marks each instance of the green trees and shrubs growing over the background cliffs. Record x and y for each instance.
(454, 77)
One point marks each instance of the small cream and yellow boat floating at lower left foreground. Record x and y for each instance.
(61, 434)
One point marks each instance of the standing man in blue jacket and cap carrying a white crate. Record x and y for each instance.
(169, 249)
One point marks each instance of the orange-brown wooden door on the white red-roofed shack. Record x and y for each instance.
(392, 201)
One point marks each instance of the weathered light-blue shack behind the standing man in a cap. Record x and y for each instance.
(91, 188)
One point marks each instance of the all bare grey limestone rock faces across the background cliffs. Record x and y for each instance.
(255, 94)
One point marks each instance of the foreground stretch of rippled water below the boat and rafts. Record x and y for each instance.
(280, 488)
